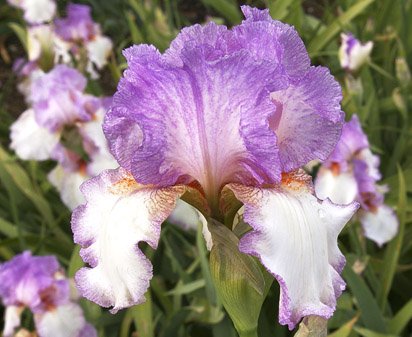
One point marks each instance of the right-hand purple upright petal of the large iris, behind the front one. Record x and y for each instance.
(308, 118)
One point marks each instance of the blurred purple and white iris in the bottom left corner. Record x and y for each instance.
(36, 282)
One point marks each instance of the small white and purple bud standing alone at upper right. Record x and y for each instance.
(352, 53)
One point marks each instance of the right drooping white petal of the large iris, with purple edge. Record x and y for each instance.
(295, 237)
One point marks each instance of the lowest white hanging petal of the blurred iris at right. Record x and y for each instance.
(379, 225)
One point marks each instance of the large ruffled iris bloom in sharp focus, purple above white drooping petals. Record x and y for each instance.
(222, 112)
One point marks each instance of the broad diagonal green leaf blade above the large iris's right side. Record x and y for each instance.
(322, 39)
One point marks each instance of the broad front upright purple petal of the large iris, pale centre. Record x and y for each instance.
(203, 120)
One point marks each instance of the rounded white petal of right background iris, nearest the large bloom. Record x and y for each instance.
(340, 188)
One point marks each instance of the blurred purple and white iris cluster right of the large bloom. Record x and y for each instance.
(351, 173)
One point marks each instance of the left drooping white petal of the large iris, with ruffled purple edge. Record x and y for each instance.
(118, 215)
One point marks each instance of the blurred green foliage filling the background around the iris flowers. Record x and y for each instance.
(182, 300)
